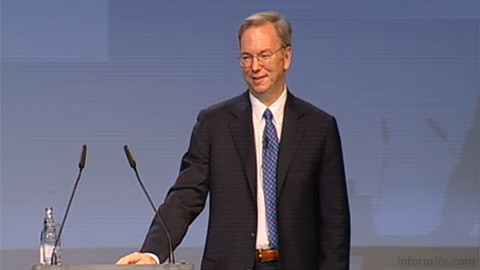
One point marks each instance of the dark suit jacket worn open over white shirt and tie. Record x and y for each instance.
(313, 212)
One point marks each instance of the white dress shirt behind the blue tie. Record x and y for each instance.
(258, 108)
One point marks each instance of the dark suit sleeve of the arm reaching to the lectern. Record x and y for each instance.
(186, 198)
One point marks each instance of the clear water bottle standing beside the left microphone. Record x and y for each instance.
(48, 254)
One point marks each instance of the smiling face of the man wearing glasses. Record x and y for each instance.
(267, 79)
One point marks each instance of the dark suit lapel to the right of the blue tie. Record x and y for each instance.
(292, 132)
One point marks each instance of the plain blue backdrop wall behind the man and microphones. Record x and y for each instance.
(402, 79)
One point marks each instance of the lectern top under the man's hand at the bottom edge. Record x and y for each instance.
(177, 266)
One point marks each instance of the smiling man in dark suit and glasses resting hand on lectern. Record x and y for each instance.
(273, 167)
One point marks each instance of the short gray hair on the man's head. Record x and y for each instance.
(281, 24)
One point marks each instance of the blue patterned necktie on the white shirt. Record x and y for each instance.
(270, 158)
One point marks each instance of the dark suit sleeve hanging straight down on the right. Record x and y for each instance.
(334, 209)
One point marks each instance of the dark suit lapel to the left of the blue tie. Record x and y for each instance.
(241, 128)
